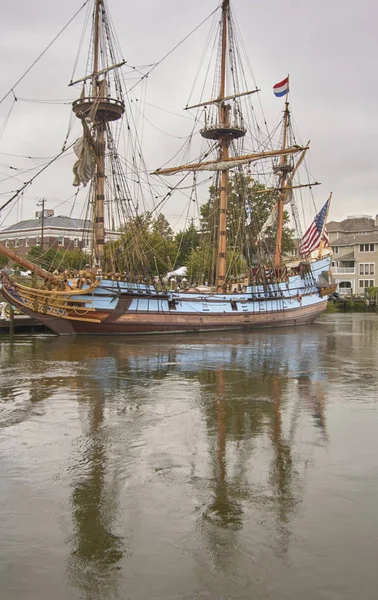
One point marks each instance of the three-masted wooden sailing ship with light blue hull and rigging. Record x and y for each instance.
(241, 272)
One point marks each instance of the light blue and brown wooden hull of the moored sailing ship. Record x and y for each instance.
(114, 307)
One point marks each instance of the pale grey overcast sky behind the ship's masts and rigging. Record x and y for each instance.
(329, 47)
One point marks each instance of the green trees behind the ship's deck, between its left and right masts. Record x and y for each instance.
(148, 246)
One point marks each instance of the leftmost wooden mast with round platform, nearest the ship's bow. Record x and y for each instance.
(98, 108)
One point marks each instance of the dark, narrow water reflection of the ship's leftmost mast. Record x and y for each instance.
(96, 549)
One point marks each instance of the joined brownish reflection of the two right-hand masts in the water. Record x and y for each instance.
(256, 401)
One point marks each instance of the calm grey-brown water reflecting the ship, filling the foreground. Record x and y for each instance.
(228, 466)
